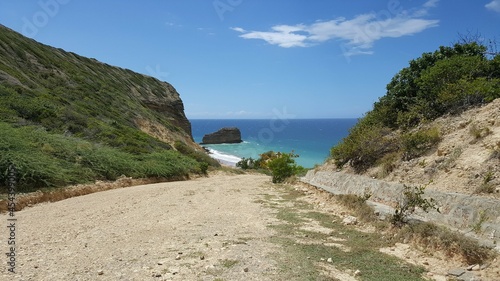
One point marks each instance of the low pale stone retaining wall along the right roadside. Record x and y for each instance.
(458, 211)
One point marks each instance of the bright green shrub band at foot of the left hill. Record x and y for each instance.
(43, 160)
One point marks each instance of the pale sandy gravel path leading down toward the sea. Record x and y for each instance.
(201, 229)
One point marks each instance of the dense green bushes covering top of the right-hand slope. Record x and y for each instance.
(445, 82)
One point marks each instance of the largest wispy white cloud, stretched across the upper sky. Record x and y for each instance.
(358, 34)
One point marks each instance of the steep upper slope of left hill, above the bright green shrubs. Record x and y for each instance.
(67, 93)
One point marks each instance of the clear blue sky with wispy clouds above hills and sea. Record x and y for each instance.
(258, 58)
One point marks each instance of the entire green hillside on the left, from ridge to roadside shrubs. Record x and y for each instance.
(68, 119)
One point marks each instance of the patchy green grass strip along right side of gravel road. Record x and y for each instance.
(300, 261)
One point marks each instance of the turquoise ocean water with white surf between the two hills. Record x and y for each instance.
(311, 139)
